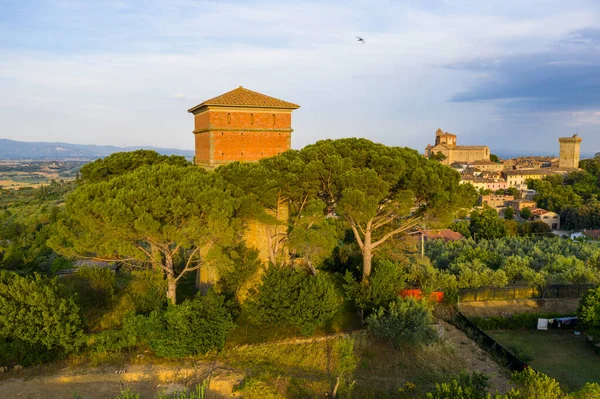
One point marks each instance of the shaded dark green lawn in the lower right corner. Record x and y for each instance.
(560, 354)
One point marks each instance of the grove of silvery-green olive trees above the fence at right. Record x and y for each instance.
(535, 261)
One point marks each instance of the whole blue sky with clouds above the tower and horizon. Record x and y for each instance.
(511, 74)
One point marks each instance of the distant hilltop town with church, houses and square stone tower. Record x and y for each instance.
(494, 177)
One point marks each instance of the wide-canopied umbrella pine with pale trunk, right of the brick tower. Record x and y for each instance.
(377, 192)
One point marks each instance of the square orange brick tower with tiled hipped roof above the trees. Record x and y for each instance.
(241, 125)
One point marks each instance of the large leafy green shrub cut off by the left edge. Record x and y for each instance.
(32, 311)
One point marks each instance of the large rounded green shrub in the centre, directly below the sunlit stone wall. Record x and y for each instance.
(290, 296)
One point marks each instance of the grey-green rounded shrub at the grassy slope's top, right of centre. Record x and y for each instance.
(405, 321)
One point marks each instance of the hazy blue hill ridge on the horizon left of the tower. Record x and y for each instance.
(10, 149)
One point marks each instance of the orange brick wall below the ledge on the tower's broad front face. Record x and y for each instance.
(248, 146)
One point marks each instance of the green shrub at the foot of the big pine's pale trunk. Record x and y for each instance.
(383, 286)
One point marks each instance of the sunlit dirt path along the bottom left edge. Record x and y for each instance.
(107, 382)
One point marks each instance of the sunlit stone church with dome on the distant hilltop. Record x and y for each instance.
(445, 143)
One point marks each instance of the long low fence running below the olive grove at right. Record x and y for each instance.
(522, 292)
